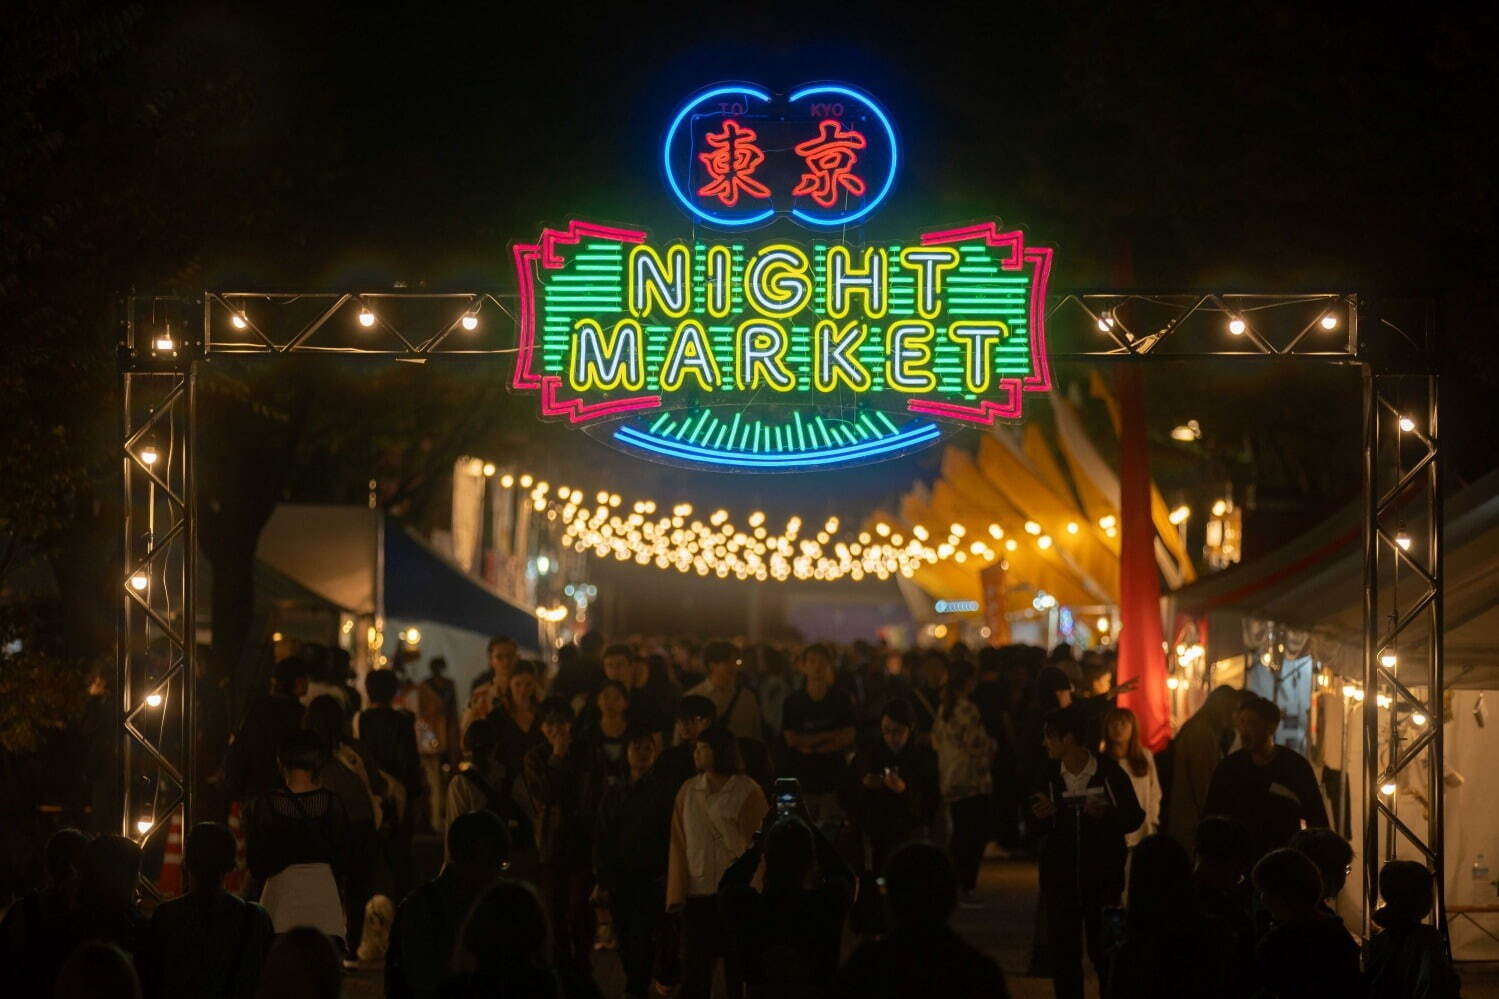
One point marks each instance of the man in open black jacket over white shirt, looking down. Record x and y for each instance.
(1086, 811)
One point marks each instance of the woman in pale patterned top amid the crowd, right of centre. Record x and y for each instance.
(965, 757)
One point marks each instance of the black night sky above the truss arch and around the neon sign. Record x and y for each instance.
(317, 146)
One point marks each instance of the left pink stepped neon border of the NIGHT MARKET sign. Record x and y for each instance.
(551, 386)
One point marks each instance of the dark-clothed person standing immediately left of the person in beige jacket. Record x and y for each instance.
(630, 857)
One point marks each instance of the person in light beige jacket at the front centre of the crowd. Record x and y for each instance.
(716, 817)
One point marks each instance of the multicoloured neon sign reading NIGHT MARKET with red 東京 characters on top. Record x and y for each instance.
(762, 353)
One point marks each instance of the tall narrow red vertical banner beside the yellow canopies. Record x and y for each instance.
(1141, 638)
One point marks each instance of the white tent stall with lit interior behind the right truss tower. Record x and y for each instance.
(1303, 604)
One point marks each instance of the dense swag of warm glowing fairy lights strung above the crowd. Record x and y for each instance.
(675, 538)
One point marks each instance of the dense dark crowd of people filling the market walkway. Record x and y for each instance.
(795, 823)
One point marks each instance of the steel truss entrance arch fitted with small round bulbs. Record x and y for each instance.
(167, 340)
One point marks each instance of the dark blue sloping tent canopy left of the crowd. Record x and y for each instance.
(420, 586)
